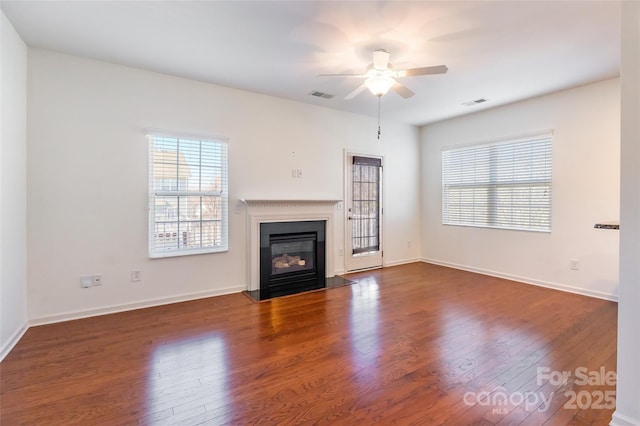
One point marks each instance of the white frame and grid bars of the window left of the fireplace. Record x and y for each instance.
(179, 189)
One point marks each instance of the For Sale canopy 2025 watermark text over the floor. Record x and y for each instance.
(502, 402)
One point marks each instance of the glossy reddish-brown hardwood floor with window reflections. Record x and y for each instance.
(414, 344)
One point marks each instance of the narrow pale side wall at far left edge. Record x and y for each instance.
(13, 187)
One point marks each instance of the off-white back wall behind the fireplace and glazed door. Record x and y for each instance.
(88, 178)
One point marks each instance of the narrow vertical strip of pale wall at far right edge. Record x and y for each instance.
(628, 390)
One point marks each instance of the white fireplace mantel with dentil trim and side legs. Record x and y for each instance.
(263, 211)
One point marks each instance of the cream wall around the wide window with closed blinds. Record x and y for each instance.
(586, 144)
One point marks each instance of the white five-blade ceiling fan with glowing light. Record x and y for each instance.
(381, 76)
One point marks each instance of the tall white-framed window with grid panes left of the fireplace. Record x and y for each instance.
(188, 196)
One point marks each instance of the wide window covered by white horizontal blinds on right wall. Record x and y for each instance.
(503, 185)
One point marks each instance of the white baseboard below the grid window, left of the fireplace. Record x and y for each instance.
(69, 316)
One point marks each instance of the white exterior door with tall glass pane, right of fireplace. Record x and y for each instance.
(363, 213)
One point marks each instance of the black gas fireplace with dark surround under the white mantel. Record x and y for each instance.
(292, 257)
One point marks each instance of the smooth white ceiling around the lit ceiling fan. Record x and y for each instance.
(503, 51)
